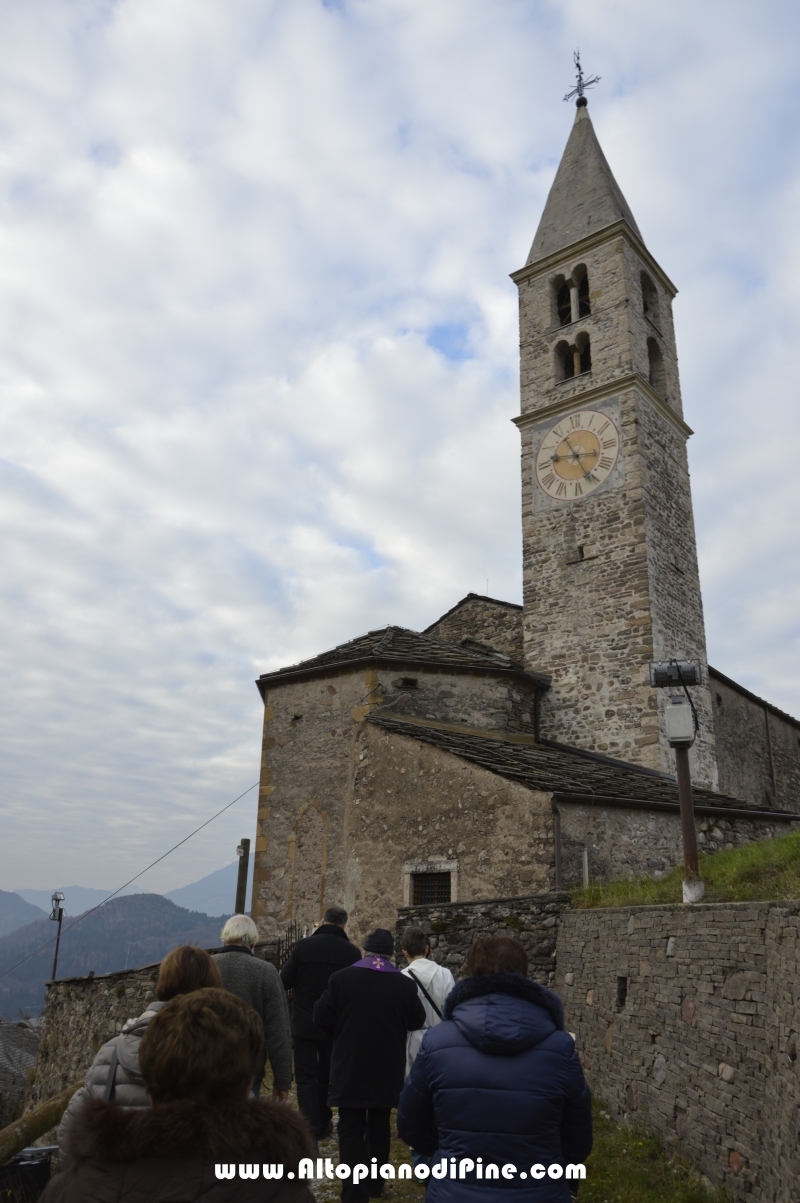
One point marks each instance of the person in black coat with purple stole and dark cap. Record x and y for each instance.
(369, 1011)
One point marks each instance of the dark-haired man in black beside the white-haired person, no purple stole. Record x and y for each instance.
(307, 974)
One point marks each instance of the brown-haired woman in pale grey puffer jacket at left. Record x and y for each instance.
(115, 1075)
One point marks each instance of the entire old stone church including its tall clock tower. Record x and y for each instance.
(481, 757)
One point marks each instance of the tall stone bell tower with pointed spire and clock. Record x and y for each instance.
(611, 571)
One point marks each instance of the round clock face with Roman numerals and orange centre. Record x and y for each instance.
(577, 455)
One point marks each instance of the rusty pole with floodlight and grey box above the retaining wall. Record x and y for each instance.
(682, 727)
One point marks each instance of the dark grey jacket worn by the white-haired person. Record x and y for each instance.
(259, 985)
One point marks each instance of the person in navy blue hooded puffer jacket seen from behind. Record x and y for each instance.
(499, 1082)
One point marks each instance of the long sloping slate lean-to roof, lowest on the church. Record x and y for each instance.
(570, 774)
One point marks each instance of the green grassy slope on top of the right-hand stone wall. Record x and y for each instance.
(765, 872)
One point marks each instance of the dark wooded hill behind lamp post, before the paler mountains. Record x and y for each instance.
(128, 932)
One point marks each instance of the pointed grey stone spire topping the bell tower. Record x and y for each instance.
(584, 198)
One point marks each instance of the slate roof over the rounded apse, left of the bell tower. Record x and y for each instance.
(402, 648)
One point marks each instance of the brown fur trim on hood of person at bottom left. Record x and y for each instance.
(260, 1130)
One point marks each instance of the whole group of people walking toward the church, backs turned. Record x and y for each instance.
(482, 1074)
